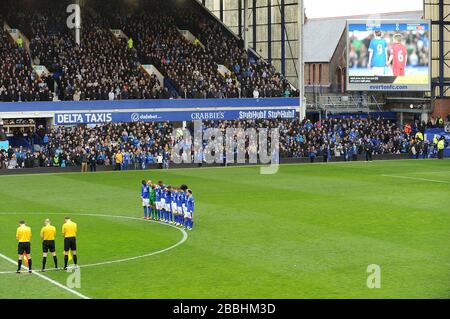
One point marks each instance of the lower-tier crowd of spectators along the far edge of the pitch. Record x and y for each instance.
(142, 144)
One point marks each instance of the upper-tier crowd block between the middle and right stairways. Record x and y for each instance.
(189, 67)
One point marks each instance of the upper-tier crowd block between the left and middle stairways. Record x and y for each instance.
(101, 68)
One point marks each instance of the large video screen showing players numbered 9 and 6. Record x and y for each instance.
(388, 55)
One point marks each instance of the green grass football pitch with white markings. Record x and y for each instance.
(309, 231)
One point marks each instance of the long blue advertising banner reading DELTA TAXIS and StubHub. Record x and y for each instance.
(174, 116)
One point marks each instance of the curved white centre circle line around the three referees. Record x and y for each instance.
(185, 236)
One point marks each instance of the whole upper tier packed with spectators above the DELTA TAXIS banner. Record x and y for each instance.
(105, 67)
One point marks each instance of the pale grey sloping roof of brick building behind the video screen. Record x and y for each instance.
(321, 36)
